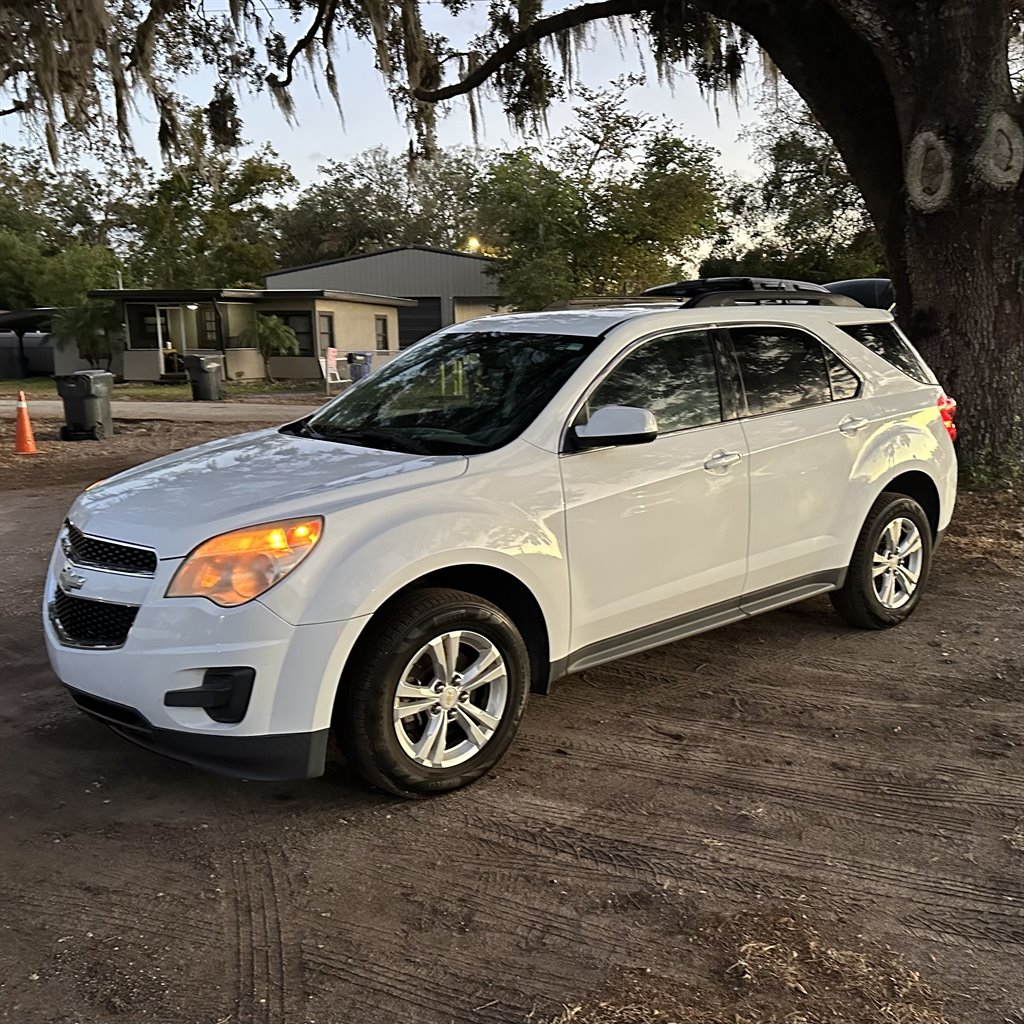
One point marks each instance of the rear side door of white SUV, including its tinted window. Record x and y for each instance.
(806, 424)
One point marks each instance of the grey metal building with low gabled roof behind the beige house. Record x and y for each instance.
(449, 287)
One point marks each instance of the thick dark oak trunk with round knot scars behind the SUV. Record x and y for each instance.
(922, 109)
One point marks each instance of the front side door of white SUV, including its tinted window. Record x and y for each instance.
(658, 532)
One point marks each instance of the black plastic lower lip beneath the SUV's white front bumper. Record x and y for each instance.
(271, 758)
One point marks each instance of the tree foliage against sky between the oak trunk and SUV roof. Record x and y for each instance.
(804, 217)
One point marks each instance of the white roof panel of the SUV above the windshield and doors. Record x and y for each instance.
(592, 323)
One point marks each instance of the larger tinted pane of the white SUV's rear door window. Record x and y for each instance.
(781, 368)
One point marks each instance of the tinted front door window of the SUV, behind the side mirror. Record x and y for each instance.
(674, 377)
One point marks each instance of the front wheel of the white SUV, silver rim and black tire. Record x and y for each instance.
(435, 694)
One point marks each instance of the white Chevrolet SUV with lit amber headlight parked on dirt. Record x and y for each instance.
(509, 501)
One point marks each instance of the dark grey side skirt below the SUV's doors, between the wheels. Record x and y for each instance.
(649, 637)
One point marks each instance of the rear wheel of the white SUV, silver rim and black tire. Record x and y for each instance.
(890, 566)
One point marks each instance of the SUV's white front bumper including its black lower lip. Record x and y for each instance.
(174, 645)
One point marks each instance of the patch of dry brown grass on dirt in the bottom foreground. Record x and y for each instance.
(786, 976)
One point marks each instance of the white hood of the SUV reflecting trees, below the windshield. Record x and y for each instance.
(175, 503)
